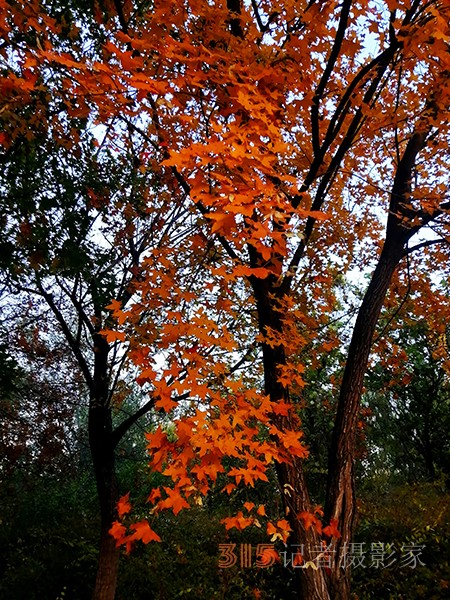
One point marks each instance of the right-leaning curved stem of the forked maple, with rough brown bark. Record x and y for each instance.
(340, 499)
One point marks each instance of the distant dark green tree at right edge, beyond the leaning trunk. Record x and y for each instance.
(409, 402)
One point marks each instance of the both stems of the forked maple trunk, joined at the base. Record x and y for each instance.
(334, 583)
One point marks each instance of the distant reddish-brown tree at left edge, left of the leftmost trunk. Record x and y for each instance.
(38, 407)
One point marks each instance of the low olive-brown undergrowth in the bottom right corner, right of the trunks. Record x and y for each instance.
(416, 515)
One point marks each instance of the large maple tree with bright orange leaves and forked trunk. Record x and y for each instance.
(298, 140)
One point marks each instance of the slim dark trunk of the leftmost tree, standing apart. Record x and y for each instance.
(103, 457)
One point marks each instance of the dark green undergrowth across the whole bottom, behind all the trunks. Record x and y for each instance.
(48, 541)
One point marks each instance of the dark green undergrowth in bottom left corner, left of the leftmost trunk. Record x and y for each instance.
(47, 538)
